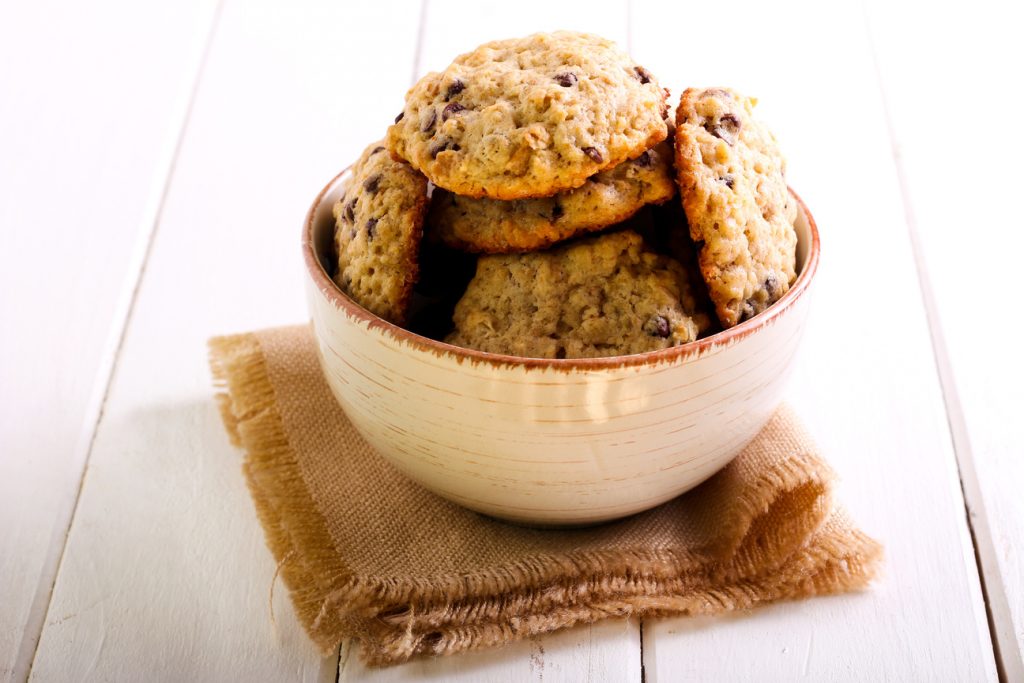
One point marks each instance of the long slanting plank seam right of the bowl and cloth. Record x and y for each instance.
(977, 522)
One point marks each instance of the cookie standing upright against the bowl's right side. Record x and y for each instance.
(733, 183)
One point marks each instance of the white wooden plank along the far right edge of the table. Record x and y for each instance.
(968, 248)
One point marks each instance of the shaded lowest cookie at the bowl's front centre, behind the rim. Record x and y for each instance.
(601, 296)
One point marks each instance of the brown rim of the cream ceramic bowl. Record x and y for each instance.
(696, 349)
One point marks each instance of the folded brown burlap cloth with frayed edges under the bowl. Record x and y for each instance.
(367, 554)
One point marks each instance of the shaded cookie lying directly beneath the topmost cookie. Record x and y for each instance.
(497, 227)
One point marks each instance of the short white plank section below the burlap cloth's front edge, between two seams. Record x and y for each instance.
(606, 652)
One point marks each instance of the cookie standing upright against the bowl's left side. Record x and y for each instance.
(378, 227)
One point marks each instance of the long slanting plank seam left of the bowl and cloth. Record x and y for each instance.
(39, 612)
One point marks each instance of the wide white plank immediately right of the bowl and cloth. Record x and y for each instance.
(866, 382)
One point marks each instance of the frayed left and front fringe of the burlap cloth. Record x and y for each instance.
(399, 619)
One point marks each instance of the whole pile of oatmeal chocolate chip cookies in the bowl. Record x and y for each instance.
(520, 149)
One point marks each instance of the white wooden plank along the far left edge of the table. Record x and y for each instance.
(88, 139)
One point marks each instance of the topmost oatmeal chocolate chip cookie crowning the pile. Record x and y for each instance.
(530, 117)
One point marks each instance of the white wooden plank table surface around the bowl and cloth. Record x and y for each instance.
(156, 160)
